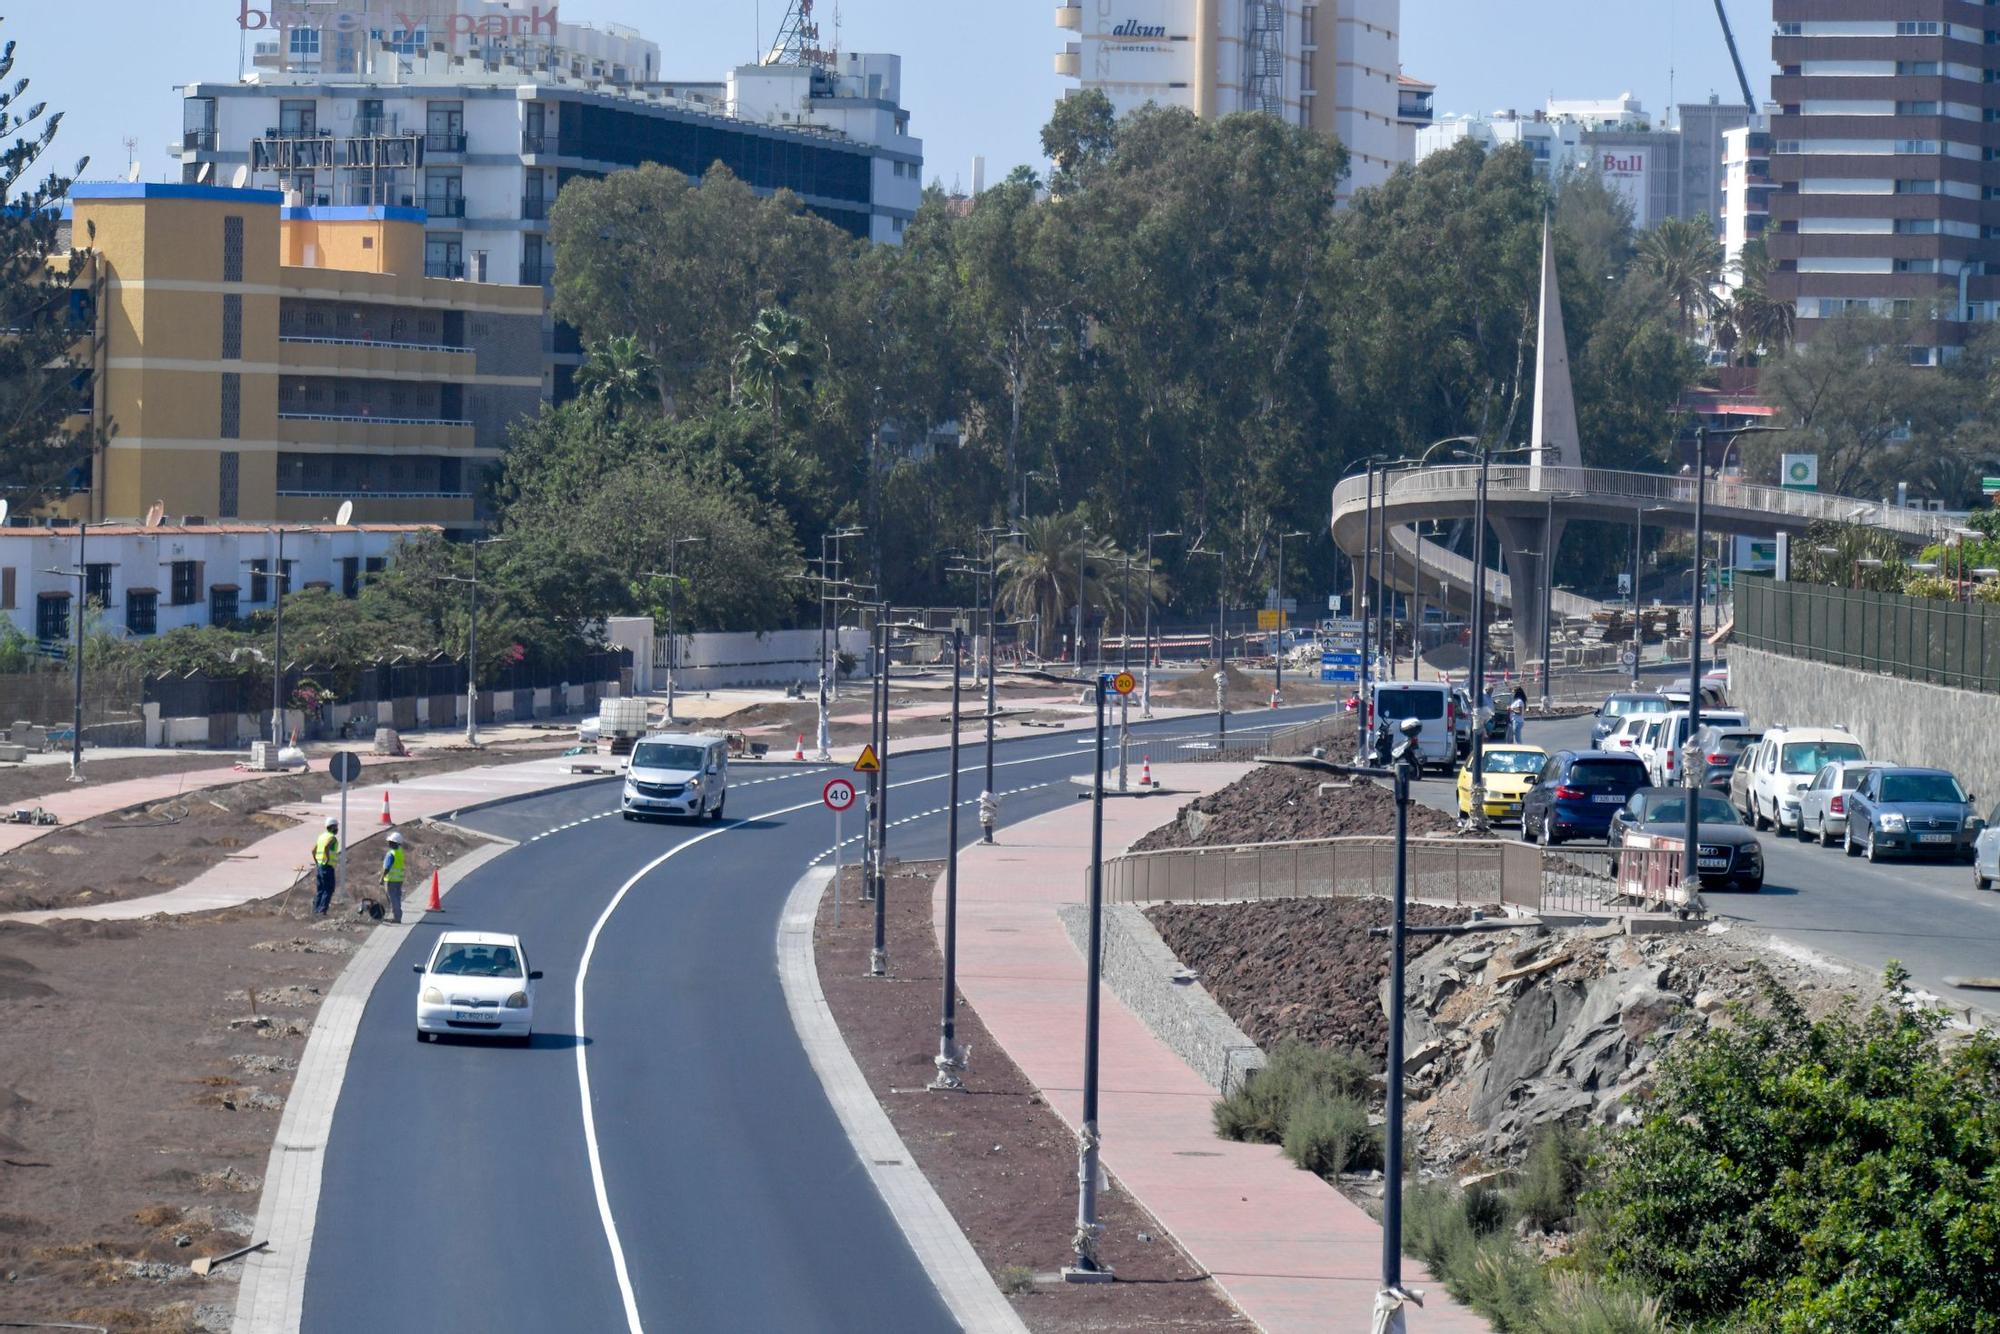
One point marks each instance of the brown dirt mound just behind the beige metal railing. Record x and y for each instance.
(1277, 803)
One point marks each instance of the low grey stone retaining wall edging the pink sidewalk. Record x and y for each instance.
(1155, 985)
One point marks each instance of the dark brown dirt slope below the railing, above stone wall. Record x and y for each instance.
(1297, 969)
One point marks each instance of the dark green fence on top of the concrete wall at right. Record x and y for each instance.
(1917, 639)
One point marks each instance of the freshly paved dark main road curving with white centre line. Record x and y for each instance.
(461, 1189)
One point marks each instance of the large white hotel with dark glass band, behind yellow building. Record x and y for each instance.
(479, 111)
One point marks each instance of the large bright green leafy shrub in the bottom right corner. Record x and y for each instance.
(1835, 1175)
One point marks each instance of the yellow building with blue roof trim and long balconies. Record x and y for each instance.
(269, 363)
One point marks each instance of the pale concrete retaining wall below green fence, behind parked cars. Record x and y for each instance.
(1899, 721)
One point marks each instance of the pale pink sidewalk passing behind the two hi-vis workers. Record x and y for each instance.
(271, 865)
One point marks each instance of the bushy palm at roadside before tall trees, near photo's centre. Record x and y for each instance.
(1061, 563)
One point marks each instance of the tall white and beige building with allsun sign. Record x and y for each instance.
(1329, 67)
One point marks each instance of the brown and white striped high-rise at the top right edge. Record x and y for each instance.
(1887, 165)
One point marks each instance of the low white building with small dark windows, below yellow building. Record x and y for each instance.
(151, 581)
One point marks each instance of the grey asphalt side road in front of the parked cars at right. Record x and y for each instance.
(1921, 913)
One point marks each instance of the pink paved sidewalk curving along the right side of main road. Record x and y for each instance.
(1289, 1249)
